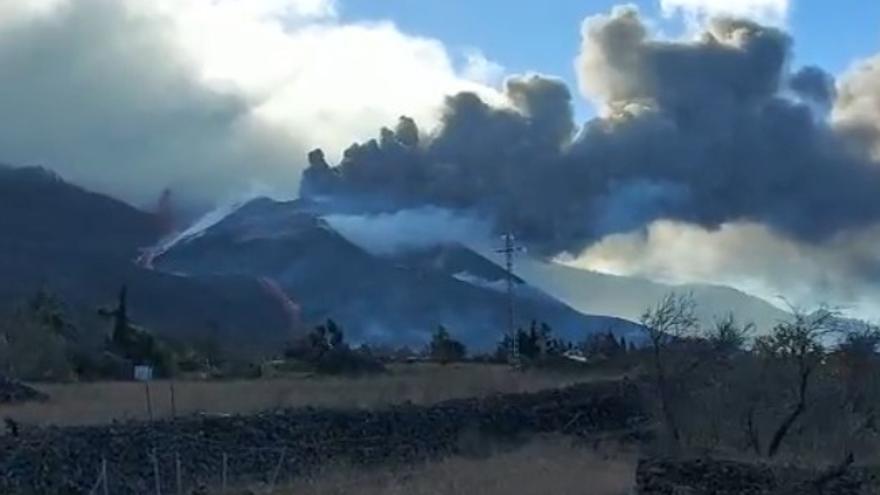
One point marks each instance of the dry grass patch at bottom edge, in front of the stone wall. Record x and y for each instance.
(548, 465)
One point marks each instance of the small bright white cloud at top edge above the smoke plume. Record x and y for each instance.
(770, 11)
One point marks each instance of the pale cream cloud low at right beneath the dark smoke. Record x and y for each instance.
(752, 258)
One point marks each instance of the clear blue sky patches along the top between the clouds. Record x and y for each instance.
(543, 36)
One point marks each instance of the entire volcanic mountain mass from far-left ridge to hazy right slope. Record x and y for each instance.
(255, 275)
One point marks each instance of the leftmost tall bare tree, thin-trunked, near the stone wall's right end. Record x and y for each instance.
(670, 322)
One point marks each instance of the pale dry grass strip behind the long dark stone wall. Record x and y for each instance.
(423, 383)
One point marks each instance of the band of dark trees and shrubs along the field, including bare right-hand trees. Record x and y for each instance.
(808, 387)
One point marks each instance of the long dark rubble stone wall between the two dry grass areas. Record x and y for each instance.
(67, 460)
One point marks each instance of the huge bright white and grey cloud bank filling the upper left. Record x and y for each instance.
(205, 96)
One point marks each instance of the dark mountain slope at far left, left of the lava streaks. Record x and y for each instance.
(83, 245)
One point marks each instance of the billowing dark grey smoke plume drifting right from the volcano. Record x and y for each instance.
(710, 131)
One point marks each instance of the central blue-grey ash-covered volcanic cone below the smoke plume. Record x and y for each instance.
(396, 299)
